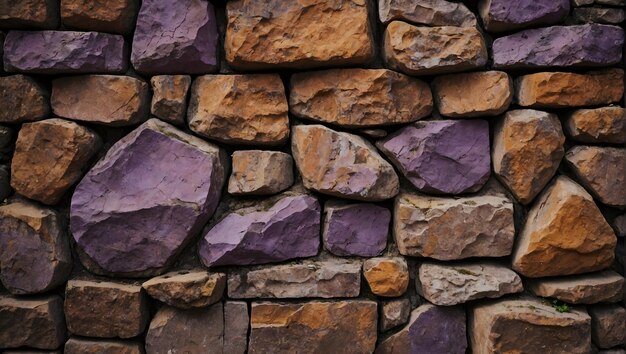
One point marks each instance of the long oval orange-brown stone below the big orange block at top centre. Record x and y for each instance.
(359, 97)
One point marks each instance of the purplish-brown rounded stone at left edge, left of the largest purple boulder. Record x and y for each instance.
(35, 252)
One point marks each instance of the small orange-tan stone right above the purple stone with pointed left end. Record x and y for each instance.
(485, 93)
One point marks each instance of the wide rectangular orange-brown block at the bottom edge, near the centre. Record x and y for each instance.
(304, 327)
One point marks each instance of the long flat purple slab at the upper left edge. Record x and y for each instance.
(65, 52)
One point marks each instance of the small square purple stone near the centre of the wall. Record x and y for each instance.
(355, 229)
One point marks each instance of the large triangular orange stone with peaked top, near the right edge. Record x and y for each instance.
(565, 233)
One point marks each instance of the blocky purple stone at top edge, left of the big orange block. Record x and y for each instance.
(175, 37)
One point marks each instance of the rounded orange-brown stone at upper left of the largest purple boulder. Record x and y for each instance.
(50, 156)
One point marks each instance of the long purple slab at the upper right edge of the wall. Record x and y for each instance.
(558, 46)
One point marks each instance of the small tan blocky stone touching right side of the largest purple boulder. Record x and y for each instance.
(257, 172)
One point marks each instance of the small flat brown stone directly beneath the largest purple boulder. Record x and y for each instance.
(187, 289)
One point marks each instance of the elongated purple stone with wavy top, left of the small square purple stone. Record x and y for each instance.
(289, 229)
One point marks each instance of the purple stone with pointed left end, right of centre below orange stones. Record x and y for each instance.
(442, 157)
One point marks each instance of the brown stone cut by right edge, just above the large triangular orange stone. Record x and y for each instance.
(600, 170)
